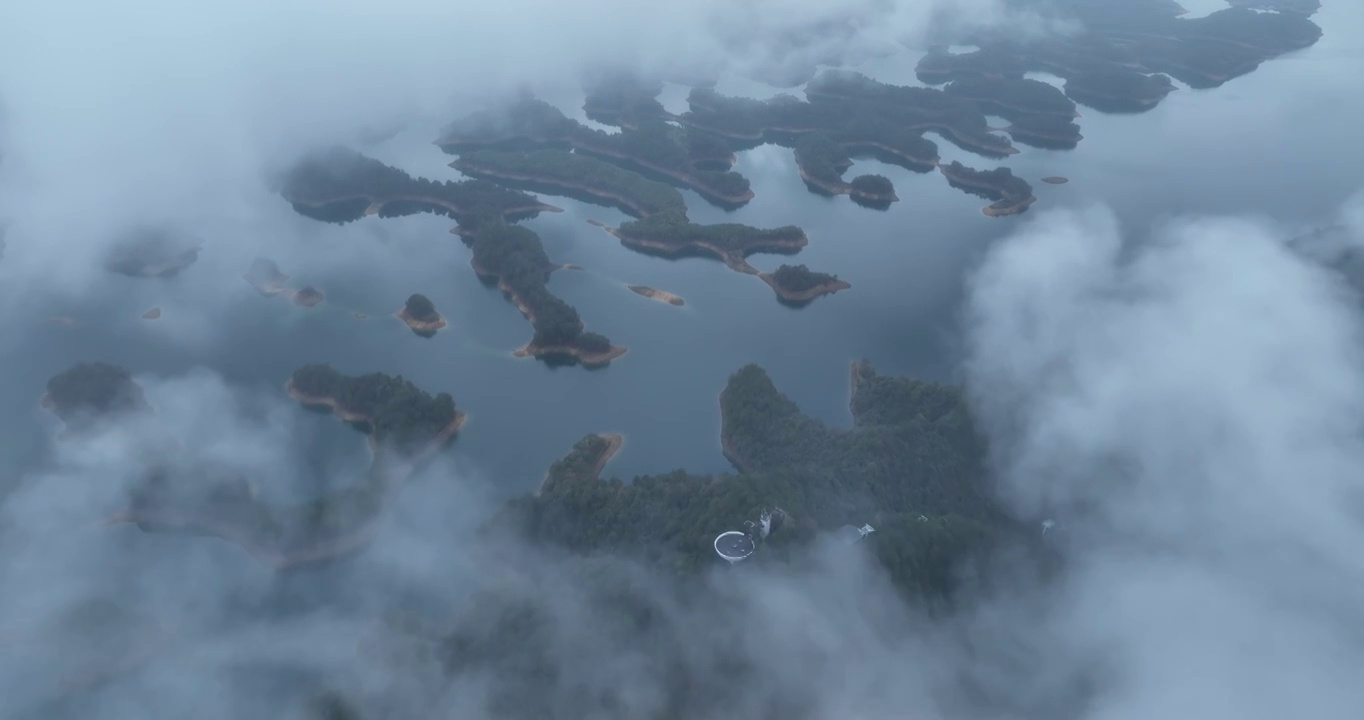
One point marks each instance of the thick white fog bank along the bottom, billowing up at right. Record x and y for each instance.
(1187, 407)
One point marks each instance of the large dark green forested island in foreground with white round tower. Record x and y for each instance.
(912, 464)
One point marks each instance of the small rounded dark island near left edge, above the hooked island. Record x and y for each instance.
(89, 393)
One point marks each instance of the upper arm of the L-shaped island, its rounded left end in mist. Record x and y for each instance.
(339, 185)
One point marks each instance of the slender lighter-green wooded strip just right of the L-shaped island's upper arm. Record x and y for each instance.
(565, 172)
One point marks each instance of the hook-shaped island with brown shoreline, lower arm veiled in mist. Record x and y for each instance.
(406, 429)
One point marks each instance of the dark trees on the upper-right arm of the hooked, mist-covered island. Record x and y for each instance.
(402, 415)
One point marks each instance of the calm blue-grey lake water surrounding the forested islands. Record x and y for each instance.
(1273, 144)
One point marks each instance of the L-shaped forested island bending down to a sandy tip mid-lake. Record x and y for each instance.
(512, 256)
